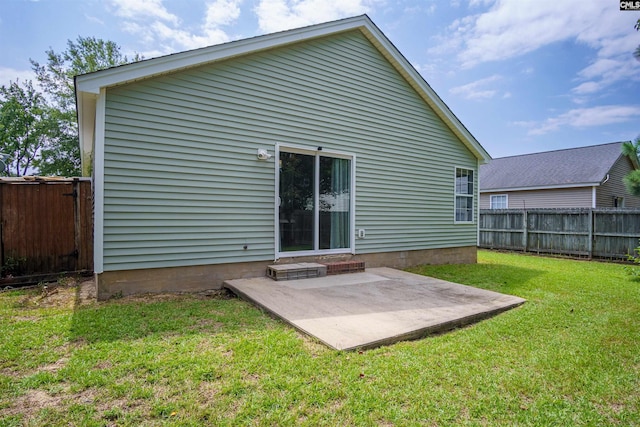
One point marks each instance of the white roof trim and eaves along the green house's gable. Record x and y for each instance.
(90, 86)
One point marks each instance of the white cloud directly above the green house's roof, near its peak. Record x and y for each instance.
(278, 15)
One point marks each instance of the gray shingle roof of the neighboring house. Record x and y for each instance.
(573, 167)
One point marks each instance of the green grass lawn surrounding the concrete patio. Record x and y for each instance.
(569, 356)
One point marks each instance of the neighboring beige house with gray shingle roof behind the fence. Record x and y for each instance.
(584, 177)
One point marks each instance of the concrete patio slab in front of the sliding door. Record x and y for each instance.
(378, 307)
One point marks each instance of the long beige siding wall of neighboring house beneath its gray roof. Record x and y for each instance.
(551, 198)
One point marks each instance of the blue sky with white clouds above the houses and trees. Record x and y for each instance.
(522, 75)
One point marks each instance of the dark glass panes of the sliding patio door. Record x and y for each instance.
(315, 202)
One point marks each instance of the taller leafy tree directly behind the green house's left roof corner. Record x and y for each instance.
(85, 55)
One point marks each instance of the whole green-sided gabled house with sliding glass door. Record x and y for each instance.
(319, 143)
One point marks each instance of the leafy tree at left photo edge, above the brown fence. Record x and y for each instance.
(26, 126)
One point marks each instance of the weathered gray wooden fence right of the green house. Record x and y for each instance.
(592, 233)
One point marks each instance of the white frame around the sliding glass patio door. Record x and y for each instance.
(291, 148)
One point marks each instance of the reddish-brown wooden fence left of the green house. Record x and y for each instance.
(46, 227)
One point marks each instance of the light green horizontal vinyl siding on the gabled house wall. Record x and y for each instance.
(183, 186)
